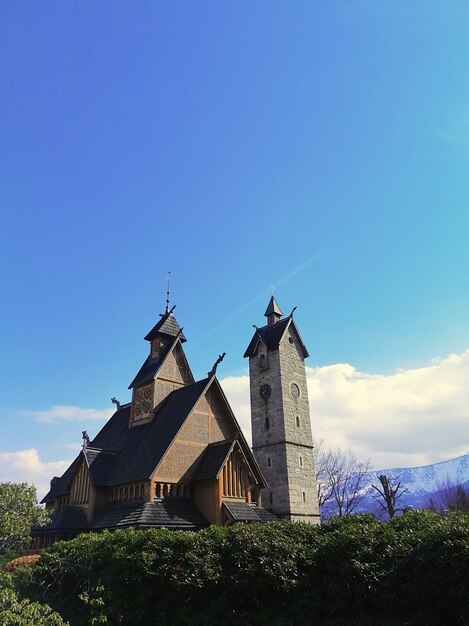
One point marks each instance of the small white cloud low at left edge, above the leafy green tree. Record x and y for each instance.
(26, 466)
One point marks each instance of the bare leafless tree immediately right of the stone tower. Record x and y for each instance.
(341, 479)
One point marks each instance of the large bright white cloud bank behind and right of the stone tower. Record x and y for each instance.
(408, 418)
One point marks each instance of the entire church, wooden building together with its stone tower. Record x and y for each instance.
(175, 456)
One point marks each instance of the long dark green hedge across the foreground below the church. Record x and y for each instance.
(413, 570)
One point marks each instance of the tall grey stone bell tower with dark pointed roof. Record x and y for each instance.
(281, 428)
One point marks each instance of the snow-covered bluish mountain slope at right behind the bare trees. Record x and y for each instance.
(421, 482)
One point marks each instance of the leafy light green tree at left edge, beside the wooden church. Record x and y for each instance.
(18, 512)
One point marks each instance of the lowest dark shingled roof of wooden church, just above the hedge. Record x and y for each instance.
(168, 512)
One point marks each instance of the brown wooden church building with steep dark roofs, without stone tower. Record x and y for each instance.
(173, 457)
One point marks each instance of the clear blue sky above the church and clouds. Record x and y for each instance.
(321, 147)
